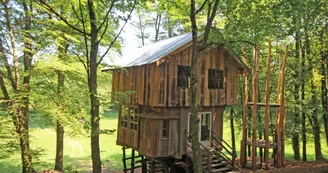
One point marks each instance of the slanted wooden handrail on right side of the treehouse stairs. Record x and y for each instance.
(226, 147)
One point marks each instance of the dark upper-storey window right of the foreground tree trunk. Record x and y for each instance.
(215, 79)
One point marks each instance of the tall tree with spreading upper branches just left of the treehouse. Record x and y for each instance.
(94, 28)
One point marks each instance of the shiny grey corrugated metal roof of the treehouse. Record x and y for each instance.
(154, 52)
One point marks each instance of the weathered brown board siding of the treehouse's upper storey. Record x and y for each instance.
(156, 84)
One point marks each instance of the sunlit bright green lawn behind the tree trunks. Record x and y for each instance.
(77, 149)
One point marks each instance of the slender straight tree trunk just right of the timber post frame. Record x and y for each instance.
(295, 135)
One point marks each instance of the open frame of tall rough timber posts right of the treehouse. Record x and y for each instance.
(278, 144)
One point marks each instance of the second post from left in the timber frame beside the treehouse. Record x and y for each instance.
(254, 108)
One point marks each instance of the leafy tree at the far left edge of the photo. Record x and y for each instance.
(18, 100)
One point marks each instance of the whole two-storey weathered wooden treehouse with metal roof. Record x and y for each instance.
(153, 92)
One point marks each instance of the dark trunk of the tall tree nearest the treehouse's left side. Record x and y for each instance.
(92, 83)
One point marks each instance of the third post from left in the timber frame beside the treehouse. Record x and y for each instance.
(267, 110)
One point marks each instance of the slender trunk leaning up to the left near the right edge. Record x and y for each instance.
(316, 124)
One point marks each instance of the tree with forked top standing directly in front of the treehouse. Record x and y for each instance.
(197, 47)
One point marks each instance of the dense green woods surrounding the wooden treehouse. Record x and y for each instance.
(51, 53)
